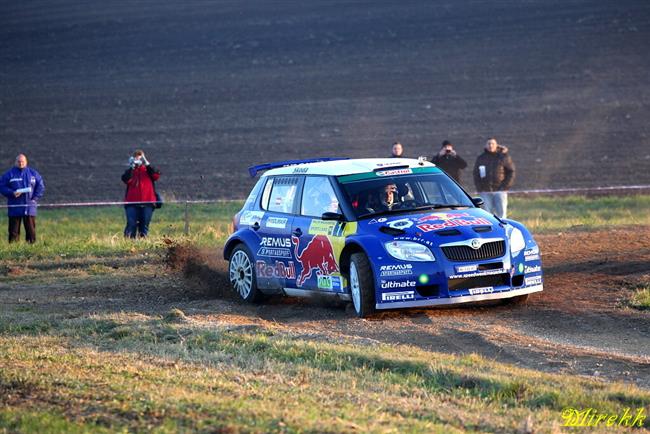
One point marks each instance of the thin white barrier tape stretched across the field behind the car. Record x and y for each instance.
(205, 201)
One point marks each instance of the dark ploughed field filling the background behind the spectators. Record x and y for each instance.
(208, 88)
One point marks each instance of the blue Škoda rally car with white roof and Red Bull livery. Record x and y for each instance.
(383, 233)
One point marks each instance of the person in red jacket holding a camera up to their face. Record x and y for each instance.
(140, 191)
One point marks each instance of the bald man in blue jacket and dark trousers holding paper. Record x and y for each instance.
(22, 186)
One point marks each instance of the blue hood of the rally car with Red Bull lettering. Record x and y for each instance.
(454, 224)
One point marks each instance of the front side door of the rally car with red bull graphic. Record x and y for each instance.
(317, 243)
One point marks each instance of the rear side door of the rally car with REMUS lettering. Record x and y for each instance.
(275, 264)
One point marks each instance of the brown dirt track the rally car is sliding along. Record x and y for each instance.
(578, 325)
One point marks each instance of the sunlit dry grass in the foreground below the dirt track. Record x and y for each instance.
(133, 371)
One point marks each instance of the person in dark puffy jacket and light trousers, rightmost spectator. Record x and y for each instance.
(494, 173)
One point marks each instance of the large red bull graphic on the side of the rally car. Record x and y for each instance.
(317, 255)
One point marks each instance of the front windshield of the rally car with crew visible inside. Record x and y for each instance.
(371, 194)
